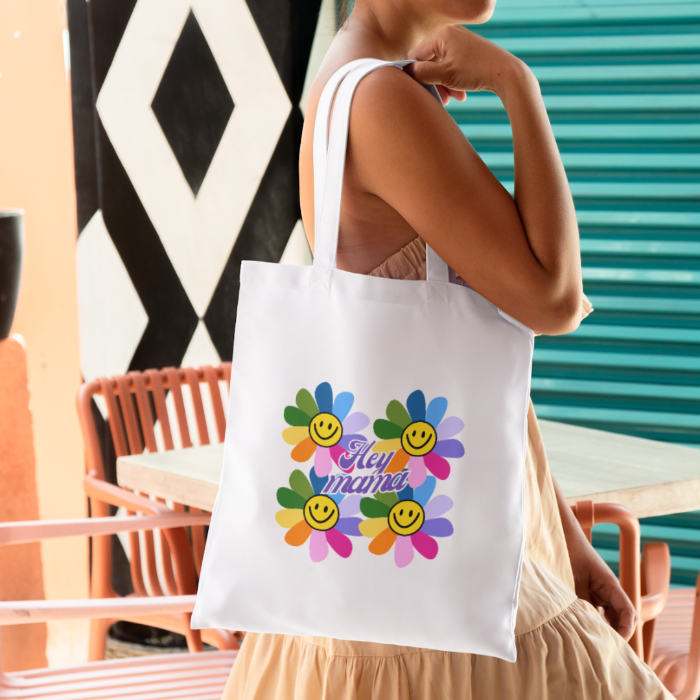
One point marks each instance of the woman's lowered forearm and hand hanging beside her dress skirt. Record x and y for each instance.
(594, 580)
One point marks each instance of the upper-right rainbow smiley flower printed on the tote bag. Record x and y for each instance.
(419, 437)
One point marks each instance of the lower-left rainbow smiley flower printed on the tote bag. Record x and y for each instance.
(310, 514)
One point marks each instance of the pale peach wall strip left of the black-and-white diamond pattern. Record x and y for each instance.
(36, 174)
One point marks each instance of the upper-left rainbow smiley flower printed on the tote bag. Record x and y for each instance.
(322, 426)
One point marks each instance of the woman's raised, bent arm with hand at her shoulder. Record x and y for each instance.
(522, 254)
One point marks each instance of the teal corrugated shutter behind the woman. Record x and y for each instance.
(620, 80)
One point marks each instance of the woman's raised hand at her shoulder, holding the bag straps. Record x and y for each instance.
(458, 61)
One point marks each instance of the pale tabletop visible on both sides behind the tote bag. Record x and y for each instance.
(648, 477)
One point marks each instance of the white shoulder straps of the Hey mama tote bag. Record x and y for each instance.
(328, 185)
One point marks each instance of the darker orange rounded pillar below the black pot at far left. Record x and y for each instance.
(20, 565)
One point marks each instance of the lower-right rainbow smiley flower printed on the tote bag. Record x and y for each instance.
(408, 521)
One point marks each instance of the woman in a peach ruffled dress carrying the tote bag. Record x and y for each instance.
(412, 177)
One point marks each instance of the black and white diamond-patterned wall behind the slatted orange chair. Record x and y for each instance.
(186, 131)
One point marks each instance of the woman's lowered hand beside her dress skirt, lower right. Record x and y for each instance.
(597, 584)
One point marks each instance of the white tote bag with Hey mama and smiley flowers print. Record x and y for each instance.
(373, 477)
